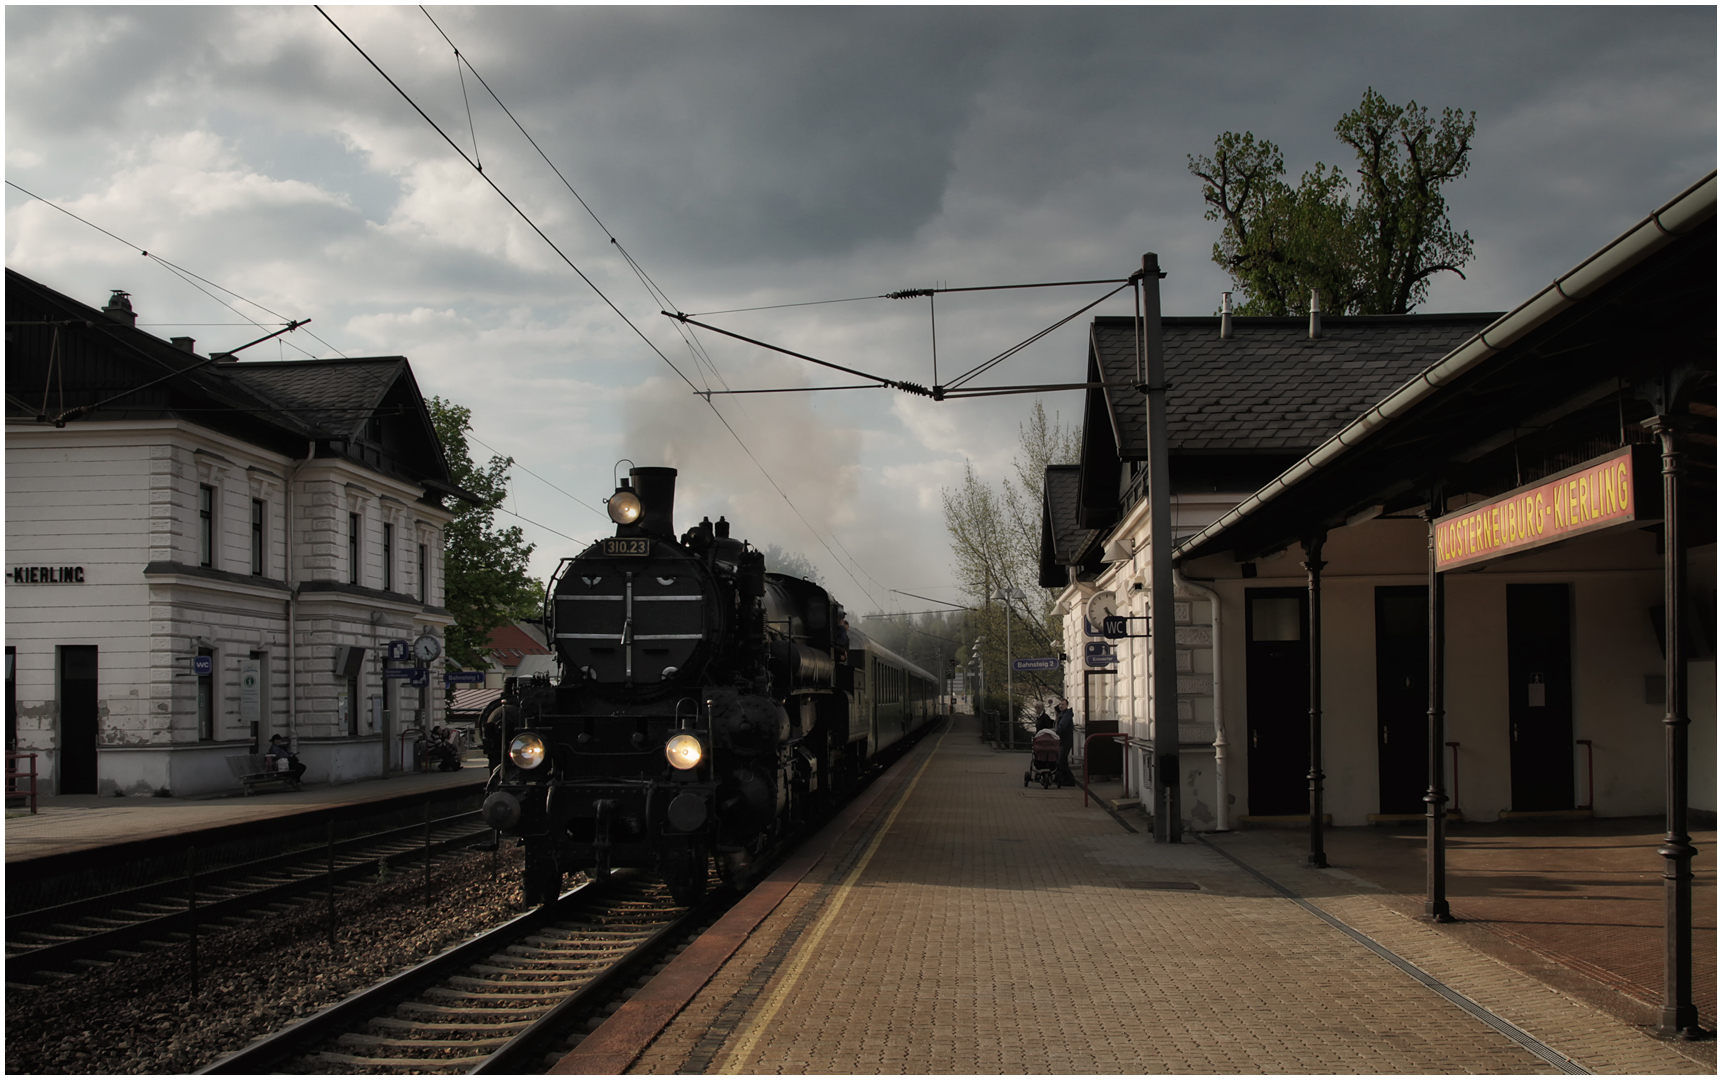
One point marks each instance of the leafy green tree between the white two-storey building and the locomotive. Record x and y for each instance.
(485, 569)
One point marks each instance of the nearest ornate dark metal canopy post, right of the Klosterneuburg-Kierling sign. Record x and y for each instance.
(1680, 1014)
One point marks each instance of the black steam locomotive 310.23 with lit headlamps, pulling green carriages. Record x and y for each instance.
(703, 707)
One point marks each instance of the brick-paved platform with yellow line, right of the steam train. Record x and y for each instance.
(969, 926)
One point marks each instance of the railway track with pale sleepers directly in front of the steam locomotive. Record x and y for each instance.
(497, 1003)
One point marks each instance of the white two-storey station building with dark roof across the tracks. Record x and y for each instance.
(204, 552)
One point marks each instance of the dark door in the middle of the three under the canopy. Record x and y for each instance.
(1403, 697)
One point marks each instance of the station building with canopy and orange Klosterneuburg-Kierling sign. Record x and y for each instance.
(1306, 464)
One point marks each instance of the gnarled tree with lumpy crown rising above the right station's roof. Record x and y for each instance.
(1366, 258)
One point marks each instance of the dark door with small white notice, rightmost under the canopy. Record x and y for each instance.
(1540, 695)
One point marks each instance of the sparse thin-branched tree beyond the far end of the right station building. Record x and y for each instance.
(996, 543)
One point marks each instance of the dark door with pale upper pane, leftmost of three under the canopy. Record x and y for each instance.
(1277, 695)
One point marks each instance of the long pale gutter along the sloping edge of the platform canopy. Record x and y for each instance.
(1676, 218)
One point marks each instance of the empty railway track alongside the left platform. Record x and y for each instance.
(77, 936)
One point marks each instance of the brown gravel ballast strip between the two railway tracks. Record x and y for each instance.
(139, 1015)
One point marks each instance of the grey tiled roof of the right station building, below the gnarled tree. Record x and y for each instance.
(1270, 387)
